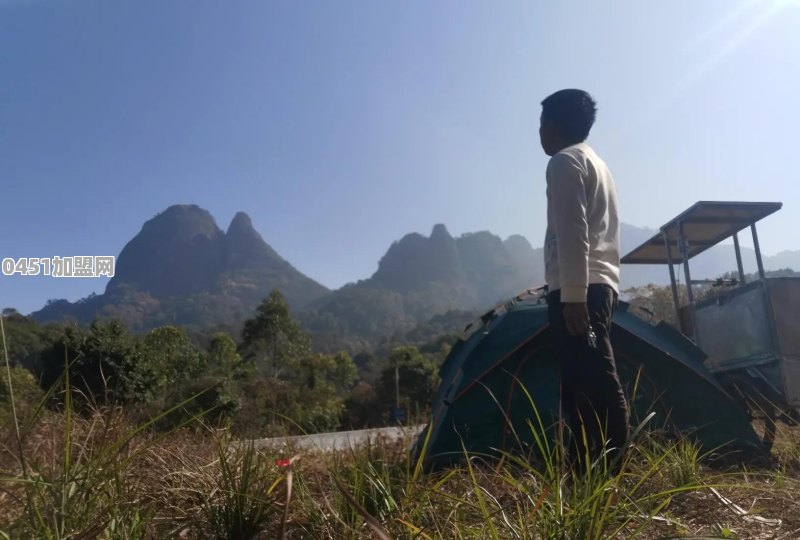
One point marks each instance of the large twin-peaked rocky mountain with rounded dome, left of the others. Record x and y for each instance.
(183, 269)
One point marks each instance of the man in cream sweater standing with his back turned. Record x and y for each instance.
(582, 273)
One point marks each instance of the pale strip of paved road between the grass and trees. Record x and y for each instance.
(342, 440)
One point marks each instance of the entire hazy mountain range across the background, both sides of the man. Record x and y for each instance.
(183, 269)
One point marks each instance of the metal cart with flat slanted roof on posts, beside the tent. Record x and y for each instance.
(748, 330)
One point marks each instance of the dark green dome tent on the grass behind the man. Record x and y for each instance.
(504, 362)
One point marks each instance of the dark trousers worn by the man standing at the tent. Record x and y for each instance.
(591, 394)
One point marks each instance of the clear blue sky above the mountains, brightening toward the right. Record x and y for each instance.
(341, 126)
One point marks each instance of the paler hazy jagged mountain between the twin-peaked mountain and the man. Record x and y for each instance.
(420, 277)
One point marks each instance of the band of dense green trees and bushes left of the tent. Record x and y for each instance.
(270, 381)
